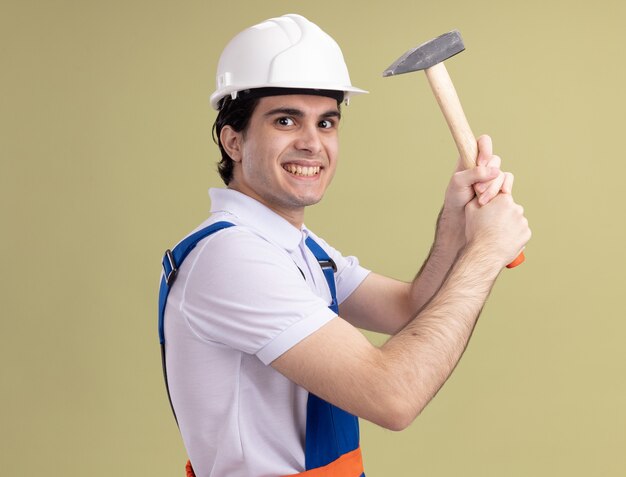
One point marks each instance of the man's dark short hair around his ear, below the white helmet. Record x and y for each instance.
(235, 113)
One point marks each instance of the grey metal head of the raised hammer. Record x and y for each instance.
(428, 55)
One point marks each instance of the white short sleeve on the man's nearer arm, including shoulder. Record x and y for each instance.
(248, 294)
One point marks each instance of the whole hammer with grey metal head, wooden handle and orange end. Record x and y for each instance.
(430, 57)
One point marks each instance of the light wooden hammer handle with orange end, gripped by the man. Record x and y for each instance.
(448, 101)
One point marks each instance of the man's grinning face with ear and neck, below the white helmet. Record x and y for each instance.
(287, 156)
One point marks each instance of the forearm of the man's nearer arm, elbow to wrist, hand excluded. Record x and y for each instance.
(421, 357)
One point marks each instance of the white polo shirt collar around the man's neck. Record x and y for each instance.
(257, 216)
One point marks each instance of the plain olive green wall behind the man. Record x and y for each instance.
(106, 157)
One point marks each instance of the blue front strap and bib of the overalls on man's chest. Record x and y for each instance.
(331, 432)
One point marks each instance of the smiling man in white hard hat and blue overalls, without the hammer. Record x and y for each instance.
(266, 373)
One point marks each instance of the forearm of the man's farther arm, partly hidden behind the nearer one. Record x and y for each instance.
(449, 240)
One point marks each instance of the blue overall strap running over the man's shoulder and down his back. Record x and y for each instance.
(172, 261)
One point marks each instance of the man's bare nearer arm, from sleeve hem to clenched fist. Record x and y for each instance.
(391, 385)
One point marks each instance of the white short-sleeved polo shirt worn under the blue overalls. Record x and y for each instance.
(238, 303)
